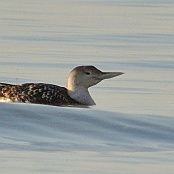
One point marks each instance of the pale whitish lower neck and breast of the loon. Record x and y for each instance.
(81, 95)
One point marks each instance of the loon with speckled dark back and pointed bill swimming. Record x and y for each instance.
(75, 93)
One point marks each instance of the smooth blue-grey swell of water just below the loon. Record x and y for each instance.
(47, 128)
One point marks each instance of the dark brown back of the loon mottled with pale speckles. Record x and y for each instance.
(36, 93)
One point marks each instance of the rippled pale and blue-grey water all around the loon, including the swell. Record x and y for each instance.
(41, 41)
